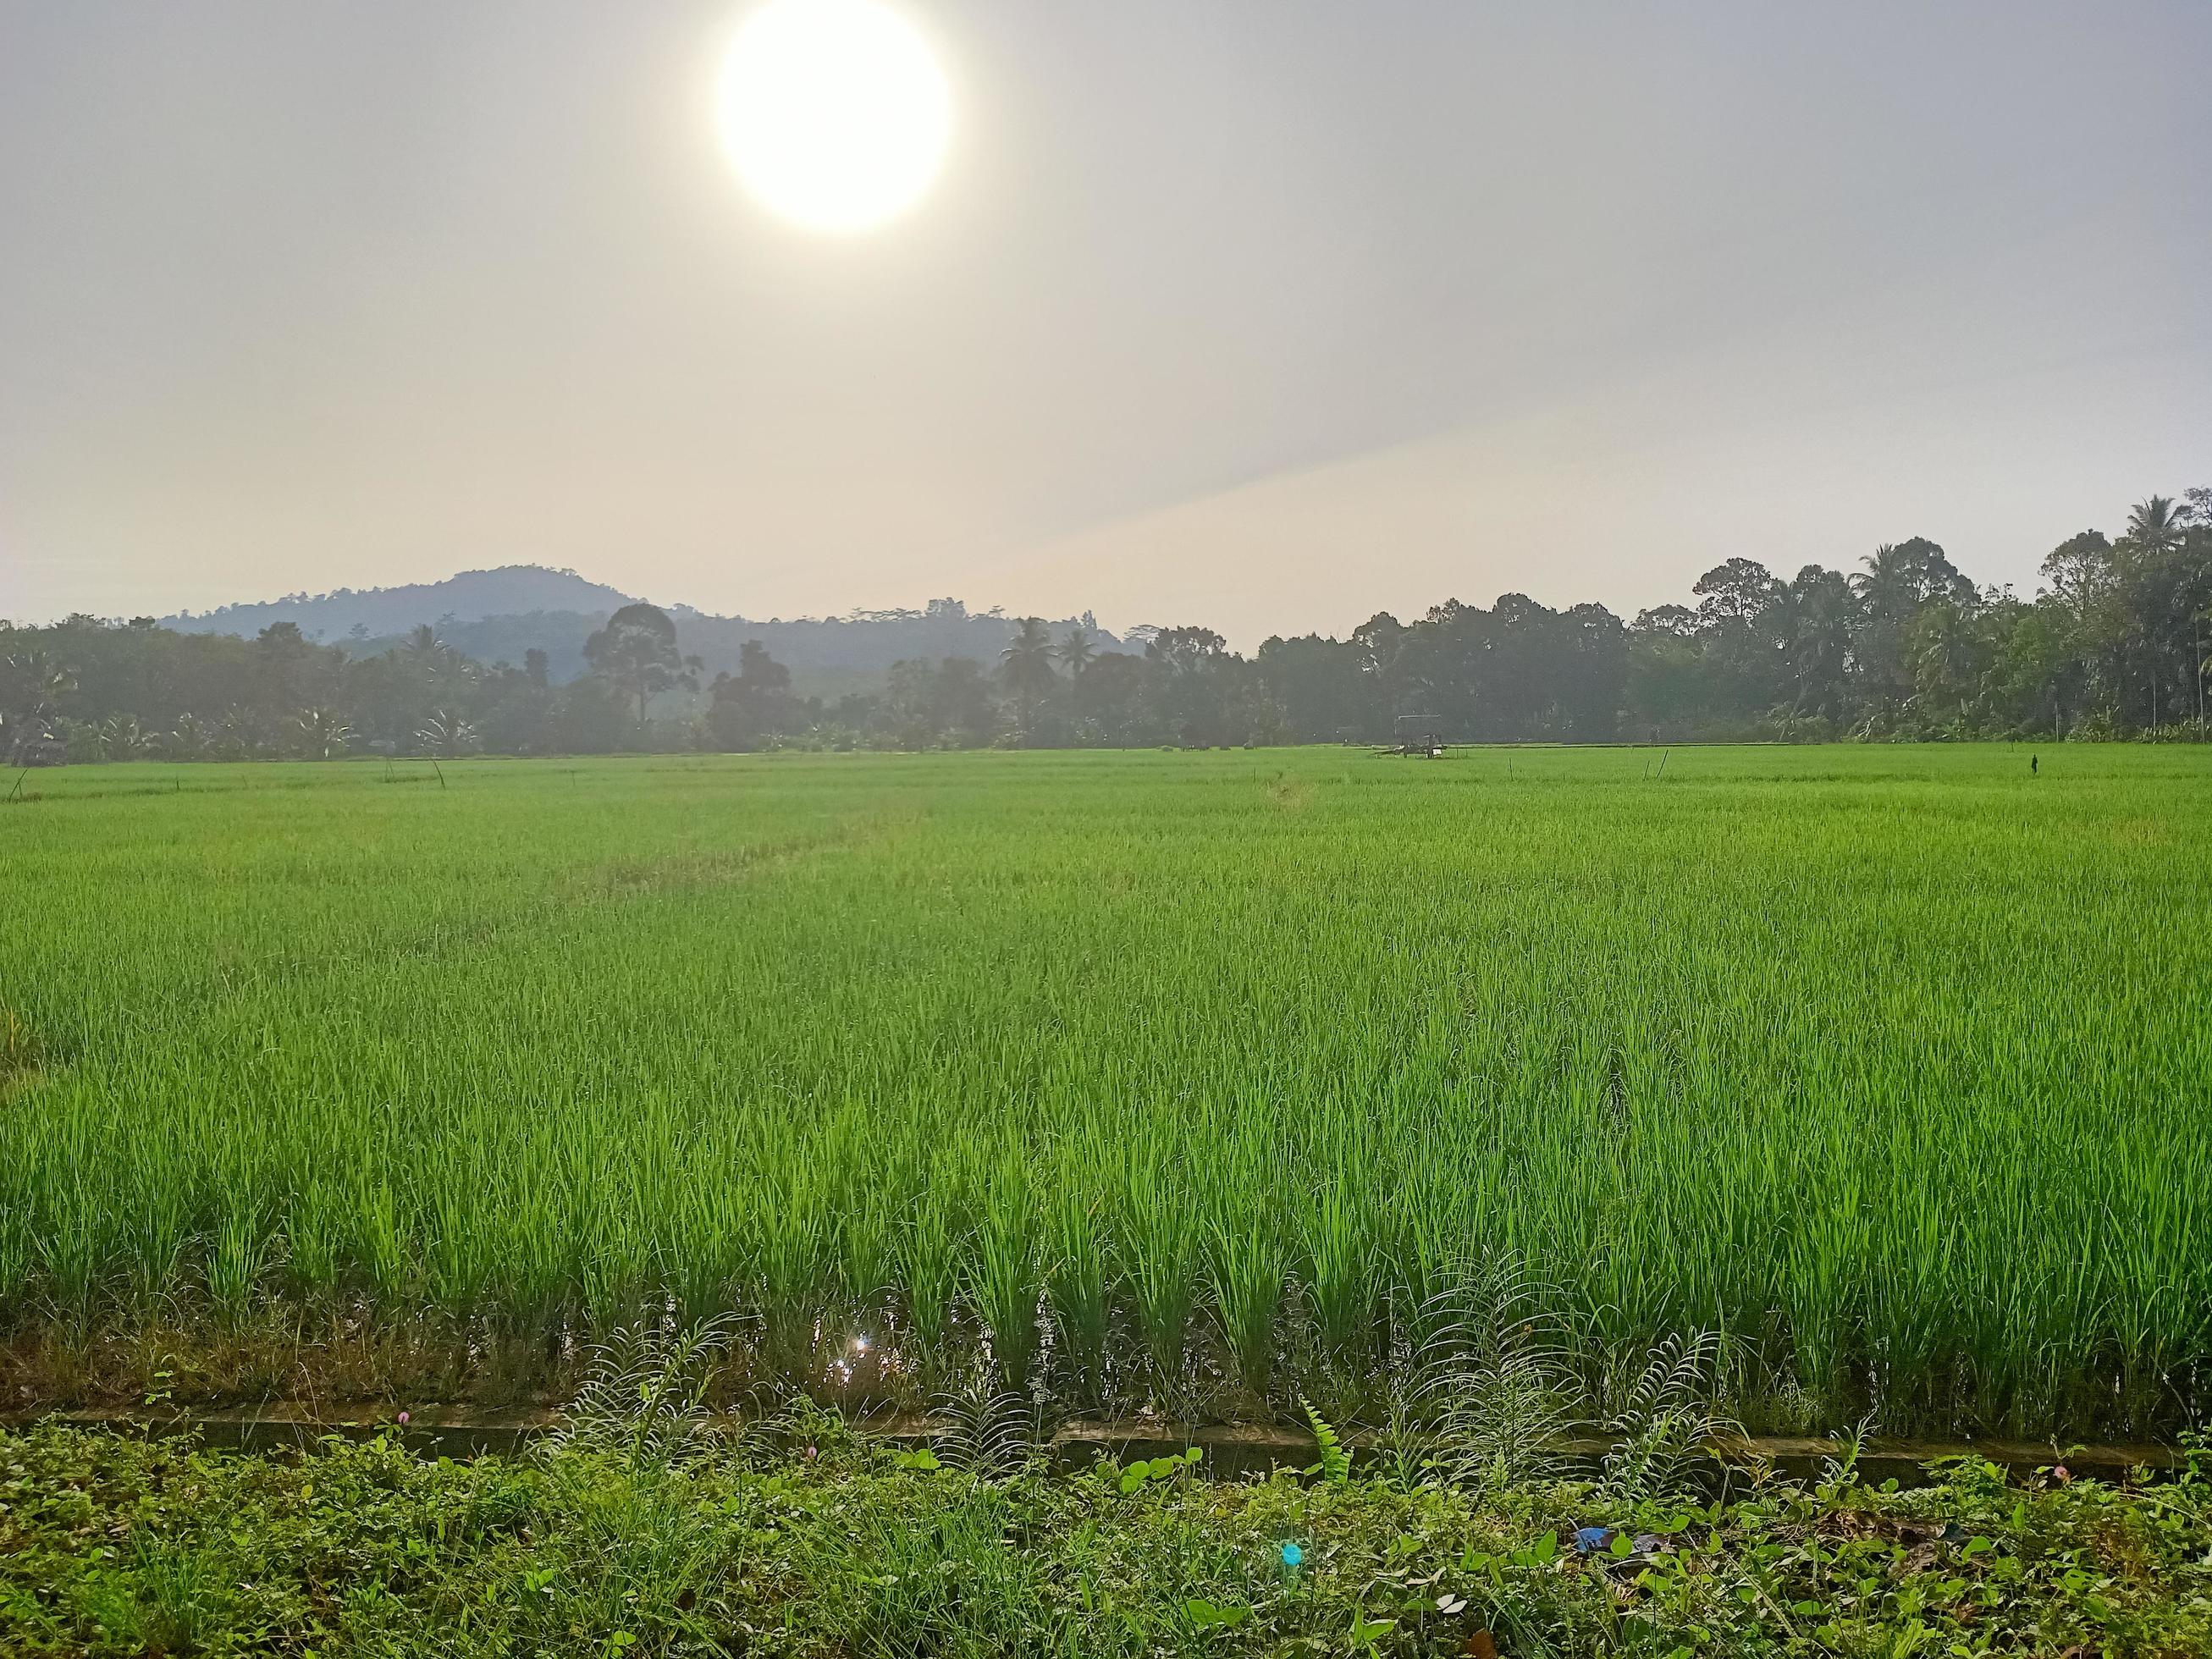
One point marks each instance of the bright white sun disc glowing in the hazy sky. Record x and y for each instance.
(833, 112)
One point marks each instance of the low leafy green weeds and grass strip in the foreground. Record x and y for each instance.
(129, 1547)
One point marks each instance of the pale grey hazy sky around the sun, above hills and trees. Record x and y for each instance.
(1260, 313)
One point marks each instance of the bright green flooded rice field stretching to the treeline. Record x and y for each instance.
(1140, 1078)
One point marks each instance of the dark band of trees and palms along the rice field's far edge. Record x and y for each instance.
(2114, 645)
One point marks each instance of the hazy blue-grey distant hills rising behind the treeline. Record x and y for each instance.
(499, 616)
